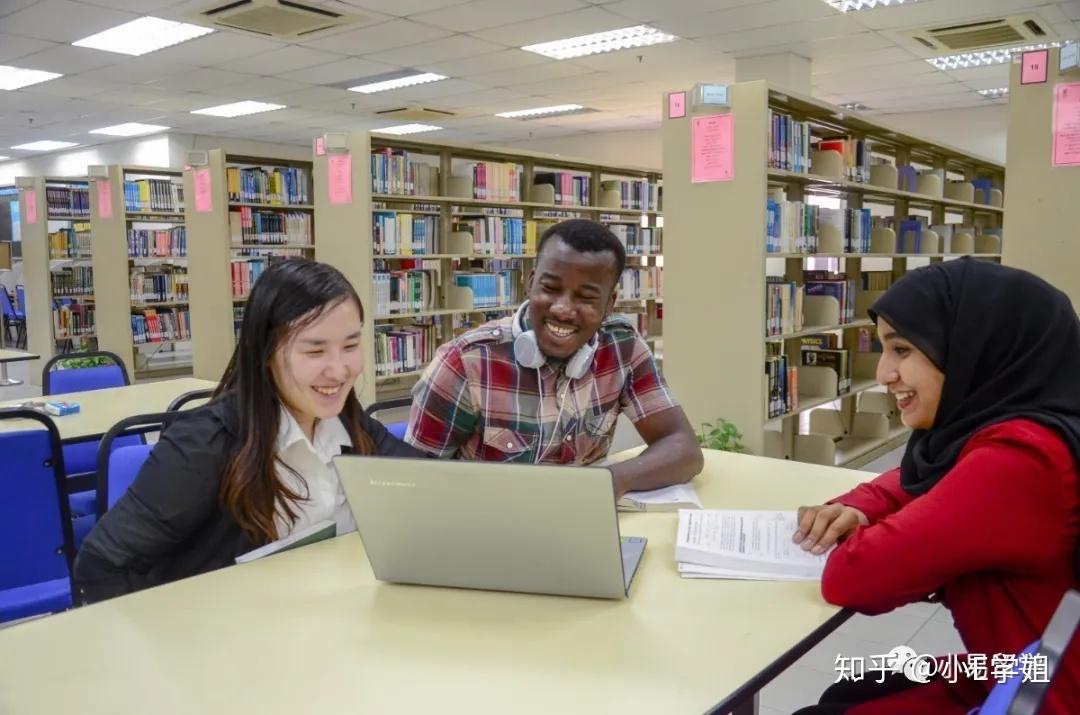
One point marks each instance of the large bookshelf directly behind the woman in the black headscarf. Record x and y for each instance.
(776, 267)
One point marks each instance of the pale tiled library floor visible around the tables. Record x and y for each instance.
(926, 628)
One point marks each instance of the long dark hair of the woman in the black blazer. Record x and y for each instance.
(290, 295)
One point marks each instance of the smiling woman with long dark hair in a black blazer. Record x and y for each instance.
(254, 465)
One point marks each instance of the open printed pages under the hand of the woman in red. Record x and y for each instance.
(744, 545)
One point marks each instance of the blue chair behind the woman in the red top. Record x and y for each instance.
(1017, 697)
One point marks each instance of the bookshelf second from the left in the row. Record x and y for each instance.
(139, 223)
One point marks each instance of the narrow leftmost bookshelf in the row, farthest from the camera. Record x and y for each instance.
(58, 264)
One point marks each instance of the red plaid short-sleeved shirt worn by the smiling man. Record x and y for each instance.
(476, 402)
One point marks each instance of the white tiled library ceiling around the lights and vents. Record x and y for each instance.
(860, 57)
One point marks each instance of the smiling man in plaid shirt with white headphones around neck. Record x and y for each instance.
(547, 385)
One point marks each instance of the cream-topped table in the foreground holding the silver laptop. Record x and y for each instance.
(310, 631)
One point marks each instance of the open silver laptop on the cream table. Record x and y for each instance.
(490, 525)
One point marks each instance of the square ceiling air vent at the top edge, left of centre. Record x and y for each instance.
(282, 20)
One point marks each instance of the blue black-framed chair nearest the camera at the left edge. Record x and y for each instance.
(36, 537)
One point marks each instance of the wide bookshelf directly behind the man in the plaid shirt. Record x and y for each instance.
(450, 236)
